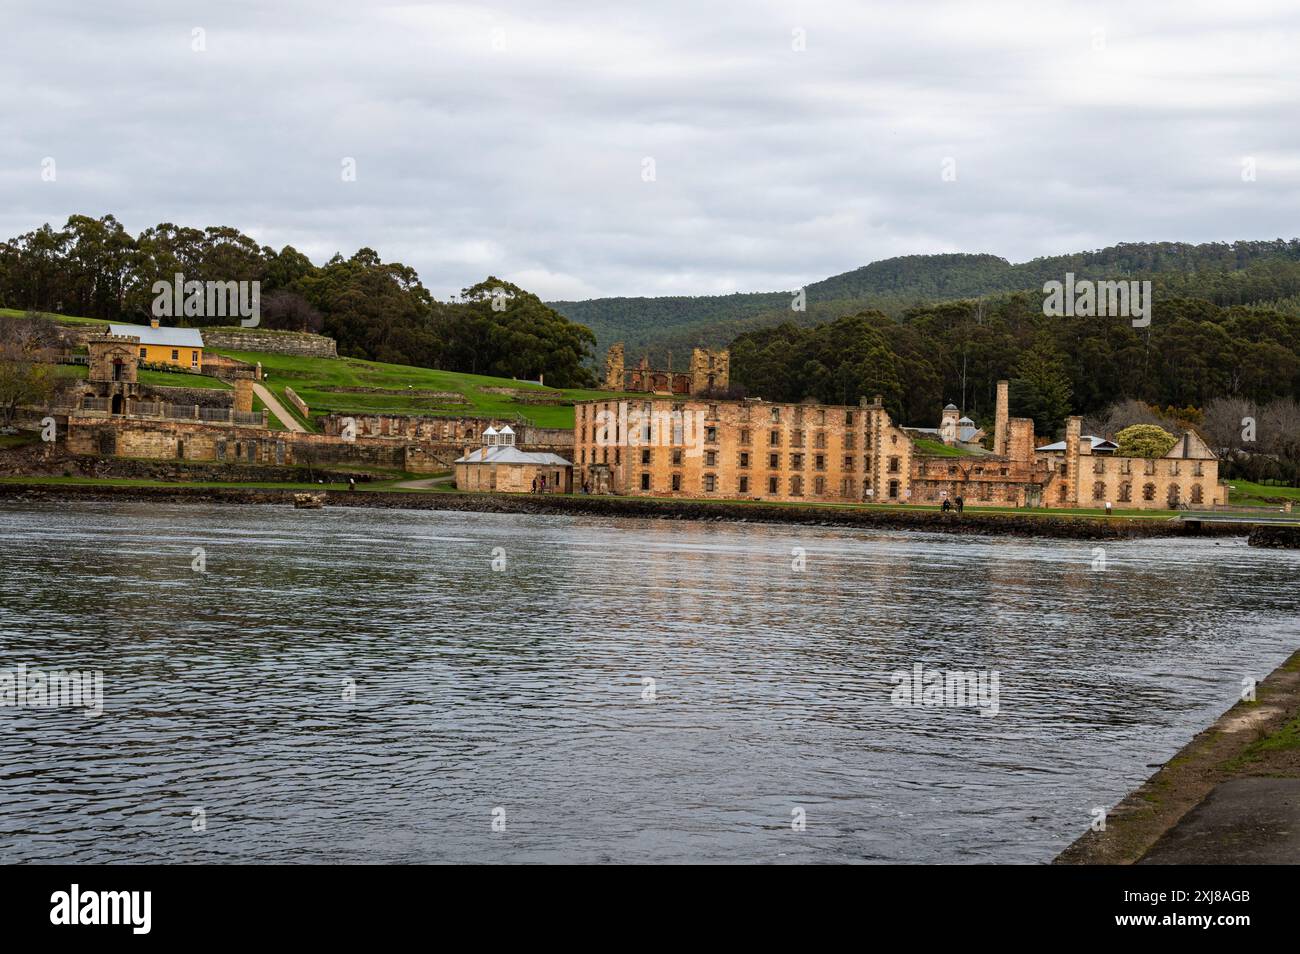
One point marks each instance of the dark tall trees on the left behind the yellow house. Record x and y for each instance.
(94, 268)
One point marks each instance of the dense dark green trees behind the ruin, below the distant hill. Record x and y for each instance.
(956, 352)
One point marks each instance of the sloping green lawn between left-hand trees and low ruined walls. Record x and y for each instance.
(397, 389)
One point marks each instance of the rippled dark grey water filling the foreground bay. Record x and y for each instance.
(523, 690)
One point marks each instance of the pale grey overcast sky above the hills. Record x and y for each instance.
(512, 138)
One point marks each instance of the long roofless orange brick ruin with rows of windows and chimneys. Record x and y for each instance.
(755, 450)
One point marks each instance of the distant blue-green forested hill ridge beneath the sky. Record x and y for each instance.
(1224, 274)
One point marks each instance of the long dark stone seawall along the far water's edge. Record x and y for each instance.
(647, 509)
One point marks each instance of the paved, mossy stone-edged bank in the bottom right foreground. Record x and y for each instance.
(1251, 741)
